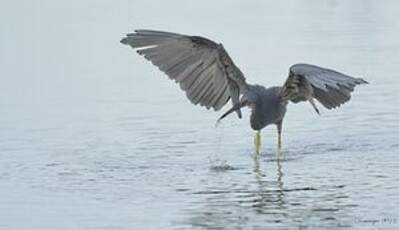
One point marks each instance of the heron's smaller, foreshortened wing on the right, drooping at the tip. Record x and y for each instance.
(329, 87)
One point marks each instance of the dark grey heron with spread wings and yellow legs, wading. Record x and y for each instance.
(208, 75)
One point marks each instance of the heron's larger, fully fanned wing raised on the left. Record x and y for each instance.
(202, 67)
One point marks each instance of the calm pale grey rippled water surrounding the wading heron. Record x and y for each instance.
(94, 137)
